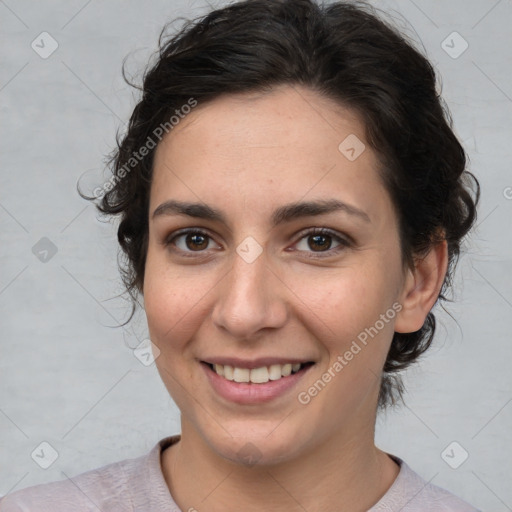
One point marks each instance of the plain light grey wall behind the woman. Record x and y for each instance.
(68, 375)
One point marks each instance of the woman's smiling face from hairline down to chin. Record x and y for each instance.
(248, 282)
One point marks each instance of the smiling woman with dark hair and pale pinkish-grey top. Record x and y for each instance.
(292, 201)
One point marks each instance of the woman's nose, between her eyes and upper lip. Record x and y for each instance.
(250, 299)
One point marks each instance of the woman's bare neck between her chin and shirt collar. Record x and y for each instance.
(347, 469)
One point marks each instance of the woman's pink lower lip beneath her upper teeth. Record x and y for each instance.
(250, 393)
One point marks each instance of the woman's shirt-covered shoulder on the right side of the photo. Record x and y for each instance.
(411, 493)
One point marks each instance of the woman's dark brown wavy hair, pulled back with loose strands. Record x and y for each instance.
(345, 52)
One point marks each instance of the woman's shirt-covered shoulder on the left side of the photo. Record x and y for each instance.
(120, 486)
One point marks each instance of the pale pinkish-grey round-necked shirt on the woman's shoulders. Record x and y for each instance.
(139, 485)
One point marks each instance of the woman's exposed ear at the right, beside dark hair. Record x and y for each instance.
(421, 288)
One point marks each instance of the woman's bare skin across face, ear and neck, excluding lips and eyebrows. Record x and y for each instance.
(247, 155)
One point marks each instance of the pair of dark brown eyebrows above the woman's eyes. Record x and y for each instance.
(285, 213)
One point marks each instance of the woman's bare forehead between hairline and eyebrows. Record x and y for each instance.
(269, 147)
